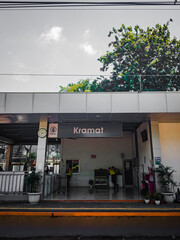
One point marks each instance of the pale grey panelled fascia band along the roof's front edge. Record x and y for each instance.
(113, 102)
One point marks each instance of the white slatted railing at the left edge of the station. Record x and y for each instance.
(11, 182)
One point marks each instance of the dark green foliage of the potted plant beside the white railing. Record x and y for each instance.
(33, 180)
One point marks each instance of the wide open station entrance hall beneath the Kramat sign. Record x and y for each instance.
(86, 156)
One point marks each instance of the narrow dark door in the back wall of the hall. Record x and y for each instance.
(128, 173)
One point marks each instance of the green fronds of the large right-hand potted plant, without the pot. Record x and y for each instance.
(166, 177)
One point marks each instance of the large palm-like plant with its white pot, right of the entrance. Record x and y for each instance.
(167, 182)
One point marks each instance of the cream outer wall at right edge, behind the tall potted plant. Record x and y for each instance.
(170, 146)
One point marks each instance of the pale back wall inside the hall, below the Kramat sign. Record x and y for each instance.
(107, 150)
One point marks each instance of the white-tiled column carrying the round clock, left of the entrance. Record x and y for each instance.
(41, 149)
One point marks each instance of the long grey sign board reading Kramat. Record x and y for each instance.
(89, 130)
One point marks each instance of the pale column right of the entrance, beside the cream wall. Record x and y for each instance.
(156, 149)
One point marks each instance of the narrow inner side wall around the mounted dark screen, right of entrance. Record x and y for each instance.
(144, 149)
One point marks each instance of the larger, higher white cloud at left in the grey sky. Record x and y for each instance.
(54, 34)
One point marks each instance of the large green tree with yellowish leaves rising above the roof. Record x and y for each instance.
(142, 60)
